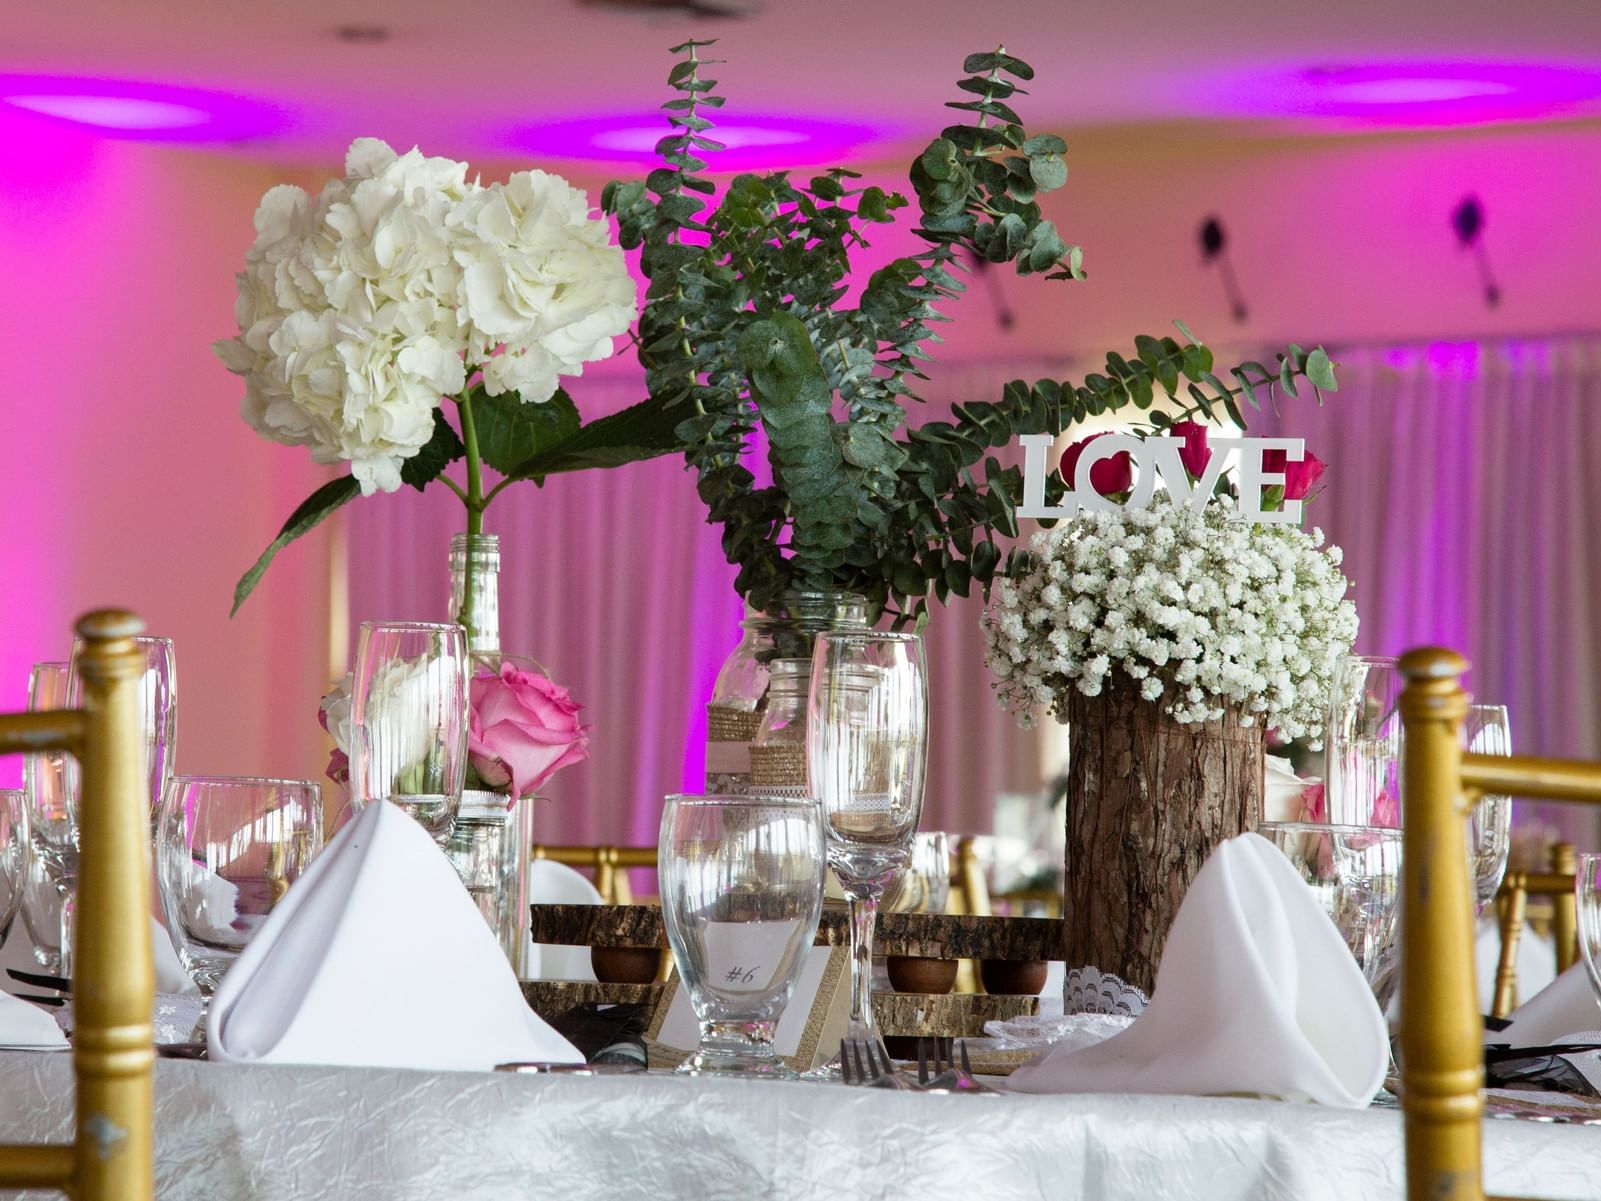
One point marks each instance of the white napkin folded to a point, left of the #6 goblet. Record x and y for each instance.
(377, 957)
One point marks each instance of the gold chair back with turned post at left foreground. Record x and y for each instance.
(114, 978)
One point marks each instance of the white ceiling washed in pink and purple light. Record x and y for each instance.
(455, 74)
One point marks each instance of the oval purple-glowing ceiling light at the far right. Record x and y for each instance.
(1418, 94)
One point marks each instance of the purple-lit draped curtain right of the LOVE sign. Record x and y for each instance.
(1464, 488)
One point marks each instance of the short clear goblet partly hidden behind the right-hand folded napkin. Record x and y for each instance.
(1355, 872)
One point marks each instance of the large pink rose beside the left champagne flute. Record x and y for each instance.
(523, 729)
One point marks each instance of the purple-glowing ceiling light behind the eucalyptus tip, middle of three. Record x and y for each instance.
(753, 142)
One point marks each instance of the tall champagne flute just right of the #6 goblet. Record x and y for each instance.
(867, 749)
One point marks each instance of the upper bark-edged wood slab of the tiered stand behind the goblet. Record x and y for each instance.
(931, 936)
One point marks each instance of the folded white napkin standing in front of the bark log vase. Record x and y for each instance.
(1258, 994)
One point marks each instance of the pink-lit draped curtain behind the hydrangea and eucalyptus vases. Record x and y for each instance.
(617, 584)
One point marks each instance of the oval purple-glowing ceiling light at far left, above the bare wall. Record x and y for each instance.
(142, 111)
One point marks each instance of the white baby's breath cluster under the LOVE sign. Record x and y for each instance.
(1203, 611)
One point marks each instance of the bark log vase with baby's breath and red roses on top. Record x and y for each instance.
(1170, 640)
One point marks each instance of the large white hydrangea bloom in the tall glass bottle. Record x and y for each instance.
(361, 308)
